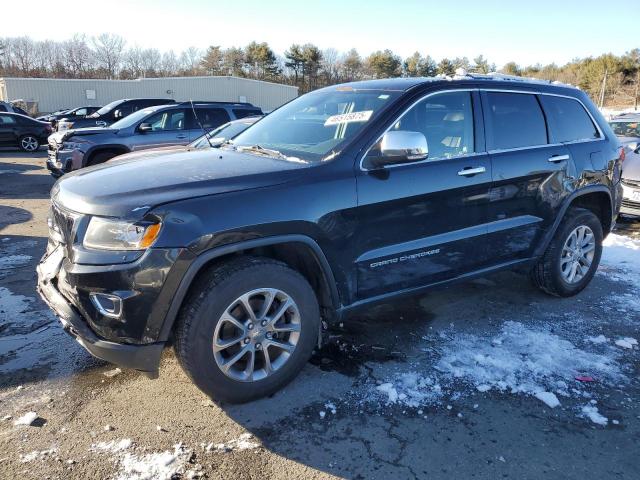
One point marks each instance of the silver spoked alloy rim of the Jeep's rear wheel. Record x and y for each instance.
(577, 254)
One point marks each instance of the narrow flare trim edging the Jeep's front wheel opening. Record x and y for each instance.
(198, 263)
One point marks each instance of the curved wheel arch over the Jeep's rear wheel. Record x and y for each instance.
(596, 198)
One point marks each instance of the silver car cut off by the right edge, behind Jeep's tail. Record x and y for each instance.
(627, 128)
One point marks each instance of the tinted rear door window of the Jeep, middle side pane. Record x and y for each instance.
(516, 121)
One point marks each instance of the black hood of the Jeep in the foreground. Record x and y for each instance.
(129, 187)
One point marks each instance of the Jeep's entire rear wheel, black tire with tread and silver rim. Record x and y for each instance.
(550, 273)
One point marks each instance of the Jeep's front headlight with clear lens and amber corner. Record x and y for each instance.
(106, 234)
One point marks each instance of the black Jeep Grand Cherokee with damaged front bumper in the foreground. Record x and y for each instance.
(346, 196)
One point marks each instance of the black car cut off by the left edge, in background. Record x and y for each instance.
(24, 132)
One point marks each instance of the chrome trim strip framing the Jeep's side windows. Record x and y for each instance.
(488, 152)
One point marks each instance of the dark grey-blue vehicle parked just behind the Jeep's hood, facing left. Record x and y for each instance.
(162, 125)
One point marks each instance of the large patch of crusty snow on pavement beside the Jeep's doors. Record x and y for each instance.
(527, 360)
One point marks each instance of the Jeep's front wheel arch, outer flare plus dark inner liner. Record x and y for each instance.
(300, 252)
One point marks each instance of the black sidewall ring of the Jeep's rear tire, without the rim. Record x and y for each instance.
(586, 218)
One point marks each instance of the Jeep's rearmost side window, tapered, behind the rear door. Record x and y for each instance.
(568, 120)
